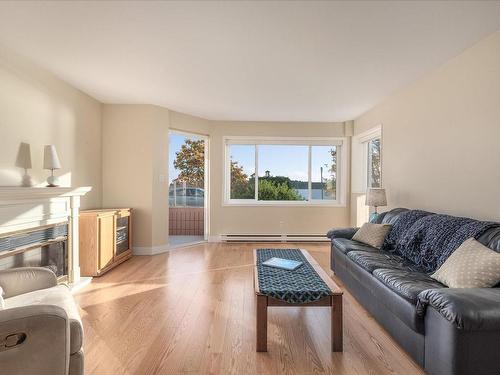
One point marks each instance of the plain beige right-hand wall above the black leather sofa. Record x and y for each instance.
(441, 136)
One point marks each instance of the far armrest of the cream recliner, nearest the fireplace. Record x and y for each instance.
(26, 279)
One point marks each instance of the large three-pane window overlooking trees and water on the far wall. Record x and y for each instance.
(283, 171)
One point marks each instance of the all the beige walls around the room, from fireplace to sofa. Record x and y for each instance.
(440, 147)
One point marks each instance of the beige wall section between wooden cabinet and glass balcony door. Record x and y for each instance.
(135, 155)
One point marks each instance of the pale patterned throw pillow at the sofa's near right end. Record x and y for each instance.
(472, 265)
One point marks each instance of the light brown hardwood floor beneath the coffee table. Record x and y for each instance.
(192, 310)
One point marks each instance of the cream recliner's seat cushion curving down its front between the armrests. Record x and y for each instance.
(60, 296)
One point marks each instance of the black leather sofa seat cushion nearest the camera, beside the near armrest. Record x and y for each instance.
(406, 283)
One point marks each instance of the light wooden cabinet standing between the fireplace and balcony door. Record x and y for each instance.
(105, 239)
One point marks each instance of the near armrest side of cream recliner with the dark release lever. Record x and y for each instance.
(34, 340)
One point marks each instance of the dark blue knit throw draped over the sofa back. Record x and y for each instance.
(433, 238)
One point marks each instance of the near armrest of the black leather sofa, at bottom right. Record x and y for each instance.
(475, 309)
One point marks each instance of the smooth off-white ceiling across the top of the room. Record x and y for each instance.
(281, 61)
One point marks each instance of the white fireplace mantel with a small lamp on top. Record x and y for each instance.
(24, 208)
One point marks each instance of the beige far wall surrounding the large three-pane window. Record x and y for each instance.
(245, 219)
